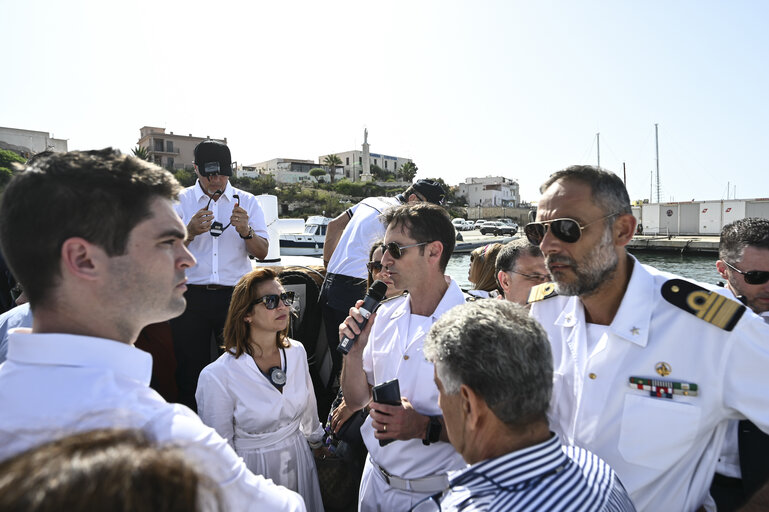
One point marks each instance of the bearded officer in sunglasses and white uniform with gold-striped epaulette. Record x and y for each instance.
(649, 367)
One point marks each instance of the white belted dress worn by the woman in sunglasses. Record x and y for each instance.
(269, 429)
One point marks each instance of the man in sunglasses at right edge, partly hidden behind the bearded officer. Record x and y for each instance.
(743, 262)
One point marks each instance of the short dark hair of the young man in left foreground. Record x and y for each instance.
(97, 195)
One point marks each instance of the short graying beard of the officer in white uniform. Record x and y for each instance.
(597, 267)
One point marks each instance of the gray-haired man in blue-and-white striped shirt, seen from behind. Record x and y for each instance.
(494, 372)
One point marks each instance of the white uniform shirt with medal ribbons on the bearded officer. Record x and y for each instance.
(664, 450)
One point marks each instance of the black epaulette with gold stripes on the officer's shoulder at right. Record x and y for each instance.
(710, 306)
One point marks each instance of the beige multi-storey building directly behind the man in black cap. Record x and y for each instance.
(170, 150)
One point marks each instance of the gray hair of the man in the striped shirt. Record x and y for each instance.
(496, 349)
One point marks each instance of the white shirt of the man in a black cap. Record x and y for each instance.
(224, 259)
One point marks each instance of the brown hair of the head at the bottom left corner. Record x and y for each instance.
(110, 469)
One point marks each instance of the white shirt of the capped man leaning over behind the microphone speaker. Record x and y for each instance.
(363, 229)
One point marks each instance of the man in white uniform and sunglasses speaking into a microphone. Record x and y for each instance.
(419, 241)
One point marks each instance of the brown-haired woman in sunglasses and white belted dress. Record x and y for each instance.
(258, 395)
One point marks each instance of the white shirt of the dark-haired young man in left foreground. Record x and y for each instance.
(53, 385)
